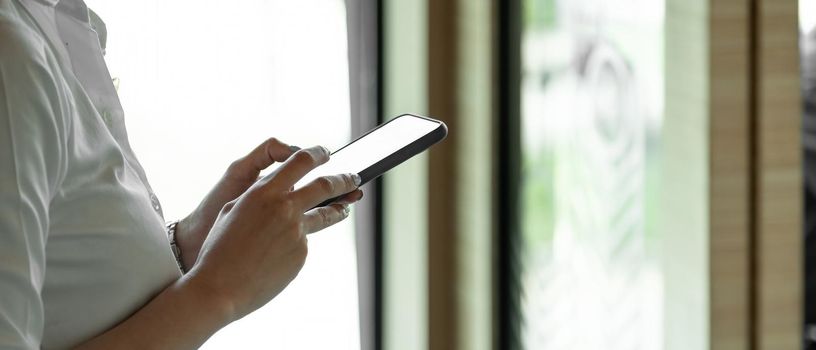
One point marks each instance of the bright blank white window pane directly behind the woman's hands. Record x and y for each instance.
(204, 82)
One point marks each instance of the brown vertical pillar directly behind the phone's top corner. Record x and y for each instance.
(442, 187)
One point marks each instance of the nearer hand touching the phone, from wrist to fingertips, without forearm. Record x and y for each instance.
(257, 245)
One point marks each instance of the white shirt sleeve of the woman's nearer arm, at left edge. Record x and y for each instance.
(31, 158)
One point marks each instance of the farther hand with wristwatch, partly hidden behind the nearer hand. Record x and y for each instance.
(240, 175)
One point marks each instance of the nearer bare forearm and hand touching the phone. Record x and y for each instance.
(255, 247)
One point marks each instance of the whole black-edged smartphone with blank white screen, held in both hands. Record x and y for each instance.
(381, 149)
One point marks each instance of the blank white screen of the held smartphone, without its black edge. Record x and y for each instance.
(373, 147)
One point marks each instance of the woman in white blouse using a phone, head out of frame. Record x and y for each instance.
(85, 260)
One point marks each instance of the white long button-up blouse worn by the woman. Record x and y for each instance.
(82, 238)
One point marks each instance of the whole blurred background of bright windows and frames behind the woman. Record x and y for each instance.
(619, 174)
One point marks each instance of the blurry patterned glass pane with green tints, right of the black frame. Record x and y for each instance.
(592, 100)
